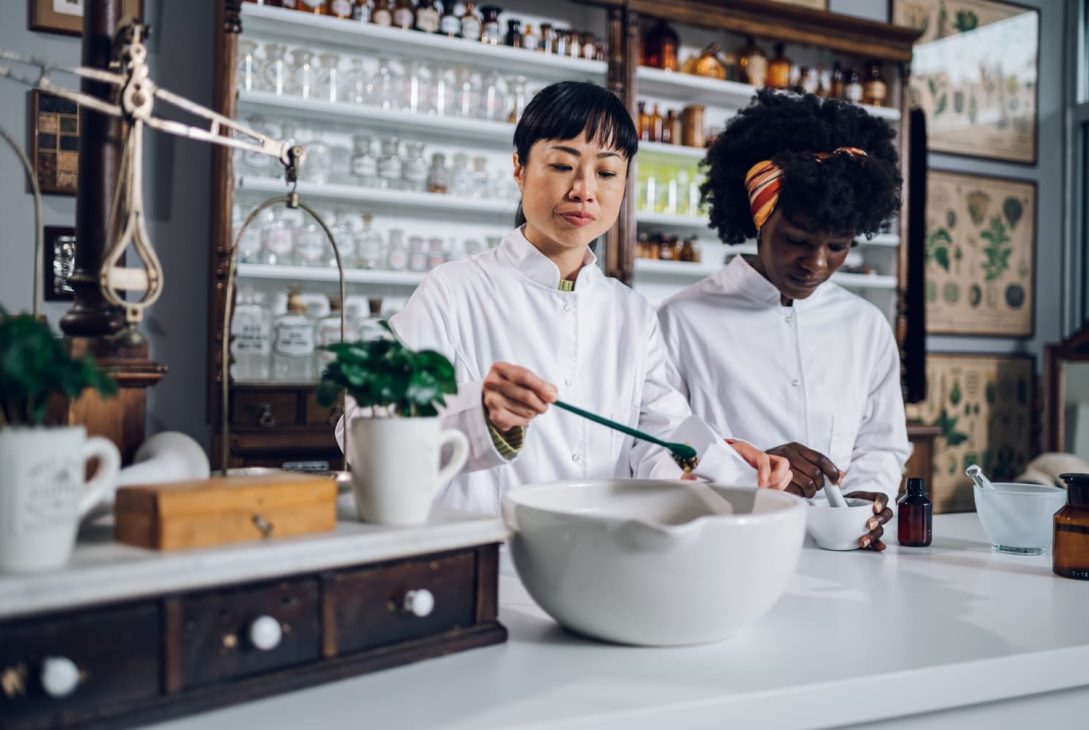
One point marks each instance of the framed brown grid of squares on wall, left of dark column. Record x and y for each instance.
(55, 142)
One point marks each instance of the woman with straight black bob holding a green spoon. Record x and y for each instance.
(535, 320)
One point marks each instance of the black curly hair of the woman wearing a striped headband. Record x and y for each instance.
(842, 194)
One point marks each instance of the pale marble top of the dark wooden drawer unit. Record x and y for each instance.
(111, 573)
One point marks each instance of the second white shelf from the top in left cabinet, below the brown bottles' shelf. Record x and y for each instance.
(499, 135)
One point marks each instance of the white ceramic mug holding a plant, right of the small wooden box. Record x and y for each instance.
(396, 472)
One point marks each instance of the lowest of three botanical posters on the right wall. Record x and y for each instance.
(984, 407)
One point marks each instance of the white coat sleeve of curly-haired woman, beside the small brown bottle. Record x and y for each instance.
(882, 447)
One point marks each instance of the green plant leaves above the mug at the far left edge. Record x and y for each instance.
(34, 367)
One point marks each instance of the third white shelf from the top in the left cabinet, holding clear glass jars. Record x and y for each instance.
(395, 200)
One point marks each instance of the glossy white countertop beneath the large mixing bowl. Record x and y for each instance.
(859, 638)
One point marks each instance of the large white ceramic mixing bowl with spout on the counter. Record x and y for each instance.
(644, 563)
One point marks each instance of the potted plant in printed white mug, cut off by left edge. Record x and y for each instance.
(43, 490)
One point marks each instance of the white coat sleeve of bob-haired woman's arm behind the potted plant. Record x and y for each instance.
(425, 324)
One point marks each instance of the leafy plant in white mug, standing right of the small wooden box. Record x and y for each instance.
(396, 447)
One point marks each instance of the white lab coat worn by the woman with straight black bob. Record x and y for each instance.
(599, 345)
